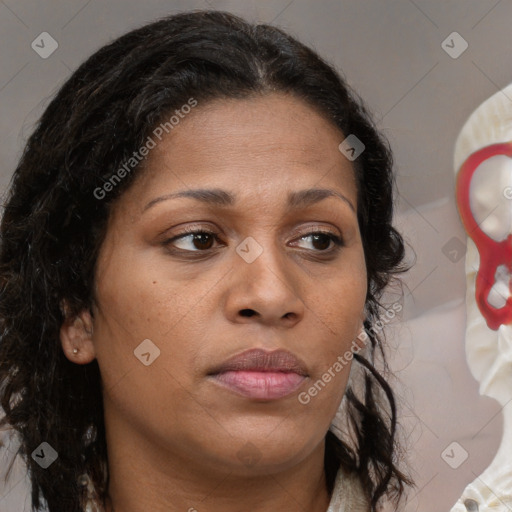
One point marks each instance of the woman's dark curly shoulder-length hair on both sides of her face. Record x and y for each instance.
(53, 226)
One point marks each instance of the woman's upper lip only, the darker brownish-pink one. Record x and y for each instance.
(261, 360)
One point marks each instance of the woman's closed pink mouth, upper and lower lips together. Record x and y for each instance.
(259, 374)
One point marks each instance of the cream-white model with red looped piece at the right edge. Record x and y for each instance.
(483, 165)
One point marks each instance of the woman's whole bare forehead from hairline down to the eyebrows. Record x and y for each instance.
(257, 145)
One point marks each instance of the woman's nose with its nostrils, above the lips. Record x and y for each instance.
(267, 290)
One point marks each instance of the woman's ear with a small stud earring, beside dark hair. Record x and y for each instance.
(76, 335)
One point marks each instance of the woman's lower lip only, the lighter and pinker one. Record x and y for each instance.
(261, 385)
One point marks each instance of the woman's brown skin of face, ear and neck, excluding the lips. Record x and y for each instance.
(175, 436)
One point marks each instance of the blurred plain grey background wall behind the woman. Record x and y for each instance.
(391, 53)
